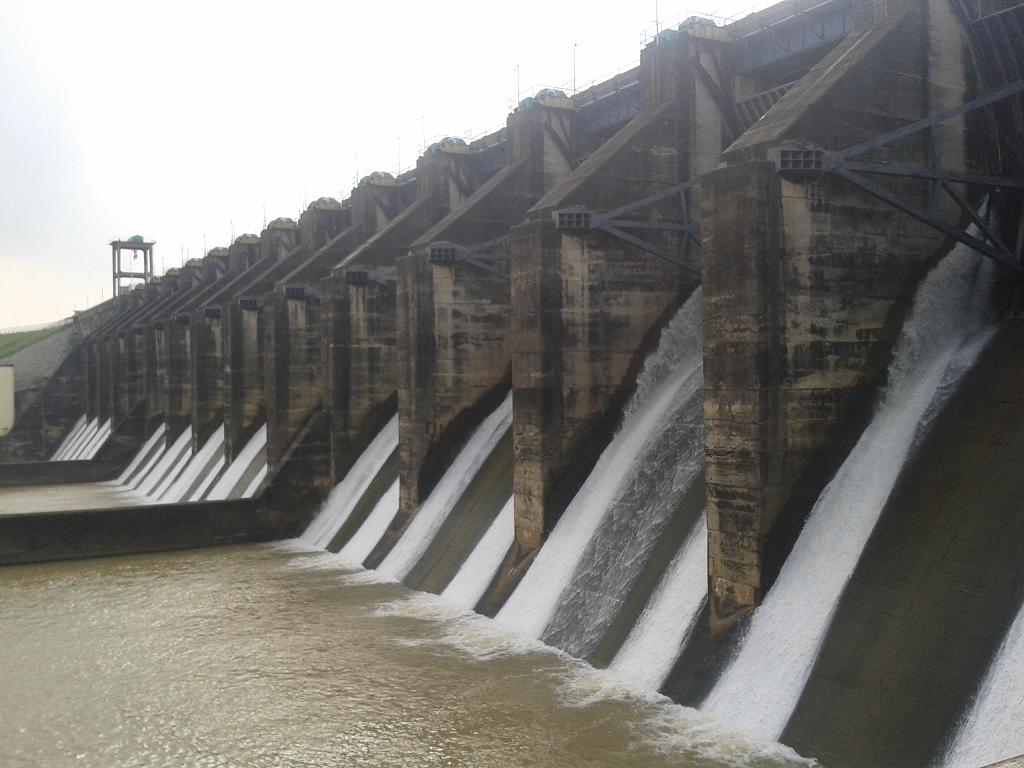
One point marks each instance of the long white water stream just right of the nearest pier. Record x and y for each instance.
(946, 332)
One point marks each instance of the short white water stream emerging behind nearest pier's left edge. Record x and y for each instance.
(660, 634)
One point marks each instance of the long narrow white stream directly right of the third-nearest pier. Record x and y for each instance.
(433, 514)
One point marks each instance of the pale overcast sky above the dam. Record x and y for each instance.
(186, 121)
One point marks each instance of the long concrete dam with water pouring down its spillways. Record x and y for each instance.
(710, 376)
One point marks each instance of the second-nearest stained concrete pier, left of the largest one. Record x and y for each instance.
(587, 307)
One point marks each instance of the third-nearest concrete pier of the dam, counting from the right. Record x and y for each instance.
(455, 300)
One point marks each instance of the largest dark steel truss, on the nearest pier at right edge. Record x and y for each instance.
(845, 163)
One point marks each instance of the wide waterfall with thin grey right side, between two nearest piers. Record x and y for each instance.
(578, 570)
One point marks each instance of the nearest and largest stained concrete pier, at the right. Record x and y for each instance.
(806, 282)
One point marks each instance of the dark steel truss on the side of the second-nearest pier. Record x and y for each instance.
(578, 218)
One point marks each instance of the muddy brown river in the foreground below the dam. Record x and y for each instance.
(272, 656)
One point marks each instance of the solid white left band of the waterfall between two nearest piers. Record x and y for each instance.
(668, 382)
